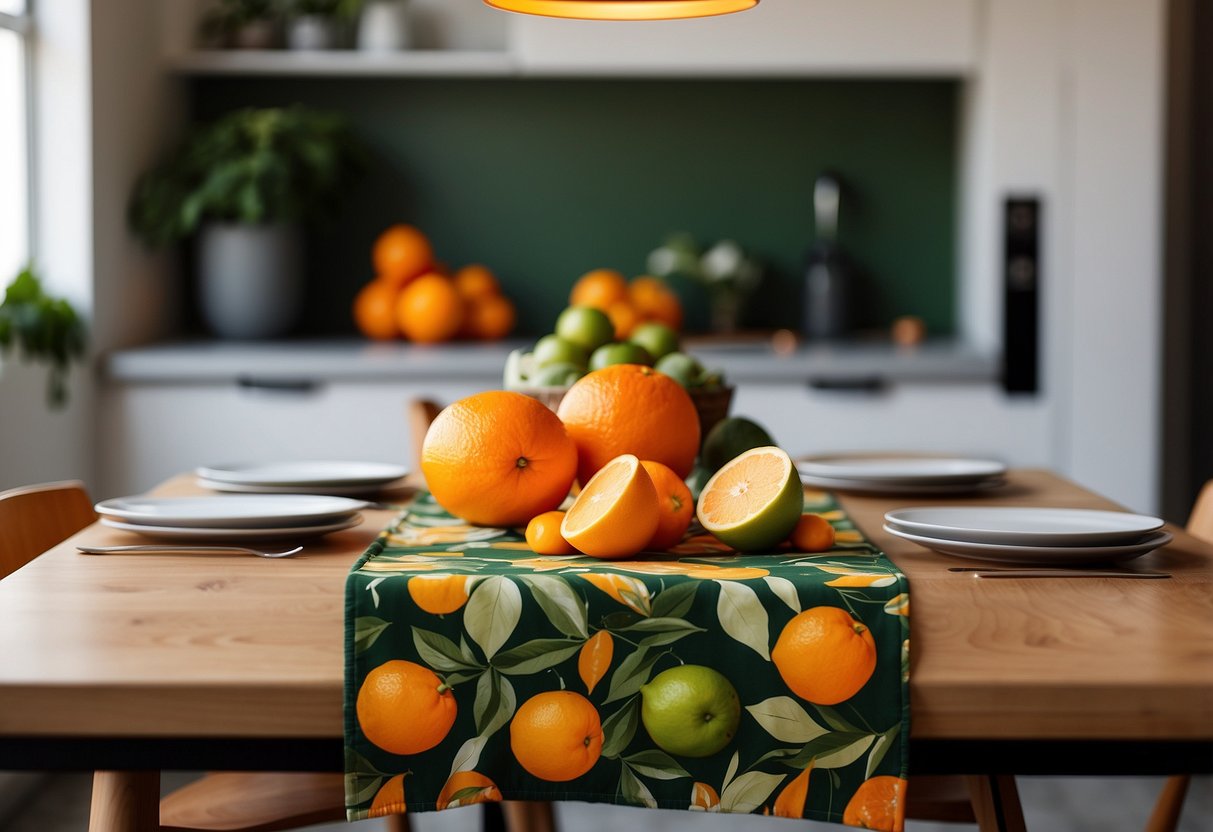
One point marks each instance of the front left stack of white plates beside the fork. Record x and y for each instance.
(232, 518)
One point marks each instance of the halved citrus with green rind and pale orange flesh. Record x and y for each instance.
(755, 502)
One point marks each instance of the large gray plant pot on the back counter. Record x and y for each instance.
(250, 278)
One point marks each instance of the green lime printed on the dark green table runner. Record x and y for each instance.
(691, 711)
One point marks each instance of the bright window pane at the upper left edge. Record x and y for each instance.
(15, 128)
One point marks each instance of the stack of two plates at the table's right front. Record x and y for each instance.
(1055, 537)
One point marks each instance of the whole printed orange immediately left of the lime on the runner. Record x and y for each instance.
(557, 736)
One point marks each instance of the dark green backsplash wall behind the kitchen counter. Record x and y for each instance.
(544, 180)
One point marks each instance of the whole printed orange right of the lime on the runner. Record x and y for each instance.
(824, 656)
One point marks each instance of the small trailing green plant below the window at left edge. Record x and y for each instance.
(43, 329)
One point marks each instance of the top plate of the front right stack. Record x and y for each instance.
(1026, 527)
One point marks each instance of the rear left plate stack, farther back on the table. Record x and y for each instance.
(315, 477)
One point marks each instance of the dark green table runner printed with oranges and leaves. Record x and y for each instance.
(696, 680)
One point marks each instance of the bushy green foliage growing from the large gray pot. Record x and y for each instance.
(250, 167)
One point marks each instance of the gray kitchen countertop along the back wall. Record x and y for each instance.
(861, 364)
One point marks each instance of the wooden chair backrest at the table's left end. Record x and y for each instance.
(35, 518)
